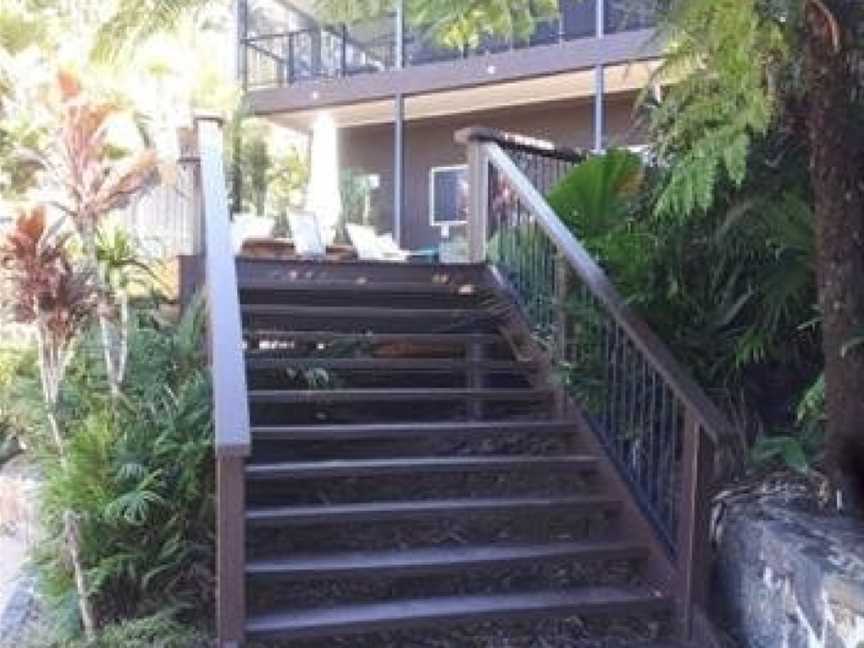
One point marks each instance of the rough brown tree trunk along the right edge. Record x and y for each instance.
(836, 174)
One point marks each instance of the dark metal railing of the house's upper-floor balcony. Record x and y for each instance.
(325, 52)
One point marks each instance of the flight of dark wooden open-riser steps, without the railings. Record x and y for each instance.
(398, 435)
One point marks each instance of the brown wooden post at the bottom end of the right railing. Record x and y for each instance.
(694, 521)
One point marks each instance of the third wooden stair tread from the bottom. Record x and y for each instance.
(373, 511)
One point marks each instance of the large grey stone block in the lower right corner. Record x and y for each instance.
(789, 577)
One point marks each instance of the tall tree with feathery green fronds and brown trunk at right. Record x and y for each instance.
(736, 68)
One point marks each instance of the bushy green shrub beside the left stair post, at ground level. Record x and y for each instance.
(140, 476)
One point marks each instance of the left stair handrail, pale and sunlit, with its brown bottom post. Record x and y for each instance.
(228, 375)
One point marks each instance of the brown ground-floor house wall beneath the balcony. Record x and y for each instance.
(429, 143)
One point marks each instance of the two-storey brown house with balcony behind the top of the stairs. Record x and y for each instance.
(396, 95)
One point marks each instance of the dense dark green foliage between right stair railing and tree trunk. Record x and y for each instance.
(731, 292)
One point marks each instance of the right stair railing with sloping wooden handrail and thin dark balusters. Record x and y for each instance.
(656, 424)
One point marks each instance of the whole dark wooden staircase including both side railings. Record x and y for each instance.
(440, 447)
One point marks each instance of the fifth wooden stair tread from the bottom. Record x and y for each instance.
(399, 430)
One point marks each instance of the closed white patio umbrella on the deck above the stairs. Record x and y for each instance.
(323, 197)
